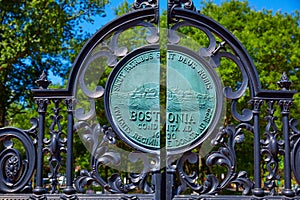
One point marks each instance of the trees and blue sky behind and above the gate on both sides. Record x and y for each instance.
(268, 29)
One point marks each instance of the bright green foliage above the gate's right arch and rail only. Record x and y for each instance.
(272, 40)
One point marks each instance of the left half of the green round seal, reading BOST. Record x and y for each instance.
(132, 99)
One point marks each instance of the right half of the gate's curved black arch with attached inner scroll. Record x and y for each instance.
(192, 18)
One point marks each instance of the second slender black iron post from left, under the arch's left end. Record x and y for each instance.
(69, 168)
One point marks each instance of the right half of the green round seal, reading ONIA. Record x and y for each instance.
(194, 100)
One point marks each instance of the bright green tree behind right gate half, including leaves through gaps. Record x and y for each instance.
(273, 42)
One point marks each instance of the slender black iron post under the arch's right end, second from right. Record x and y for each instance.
(257, 191)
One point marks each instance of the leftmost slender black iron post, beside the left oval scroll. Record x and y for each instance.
(42, 107)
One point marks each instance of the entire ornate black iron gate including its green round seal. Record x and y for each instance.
(161, 94)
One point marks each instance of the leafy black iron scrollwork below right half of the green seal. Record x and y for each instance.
(224, 157)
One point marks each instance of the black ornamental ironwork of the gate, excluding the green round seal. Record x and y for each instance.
(270, 144)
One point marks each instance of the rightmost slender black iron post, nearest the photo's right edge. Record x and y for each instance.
(285, 111)
